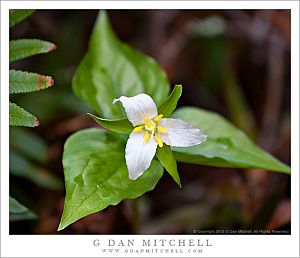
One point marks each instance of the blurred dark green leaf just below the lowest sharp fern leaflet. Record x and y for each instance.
(29, 144)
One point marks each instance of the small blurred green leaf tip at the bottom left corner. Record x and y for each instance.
(18, 211)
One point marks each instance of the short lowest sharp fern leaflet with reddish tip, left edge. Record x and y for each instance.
(20, 117)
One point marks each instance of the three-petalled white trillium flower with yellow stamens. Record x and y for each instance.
(151, 130)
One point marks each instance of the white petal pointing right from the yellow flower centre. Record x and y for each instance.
(180, 133)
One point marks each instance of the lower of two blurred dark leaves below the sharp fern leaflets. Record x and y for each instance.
(22, 167)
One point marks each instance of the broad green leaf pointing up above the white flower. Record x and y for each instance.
(111, 69)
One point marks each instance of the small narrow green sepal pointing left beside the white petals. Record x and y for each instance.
(119, 125)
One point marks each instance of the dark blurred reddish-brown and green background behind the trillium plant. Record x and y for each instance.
(234, 62)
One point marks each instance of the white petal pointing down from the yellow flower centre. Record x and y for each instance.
(139, 154)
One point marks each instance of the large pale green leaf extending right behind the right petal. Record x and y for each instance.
(226, 146)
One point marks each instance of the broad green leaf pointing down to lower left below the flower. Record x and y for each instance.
(96, 175)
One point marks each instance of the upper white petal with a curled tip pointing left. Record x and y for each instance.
(138, 107)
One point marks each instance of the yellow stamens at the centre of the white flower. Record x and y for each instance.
(151, 129)
